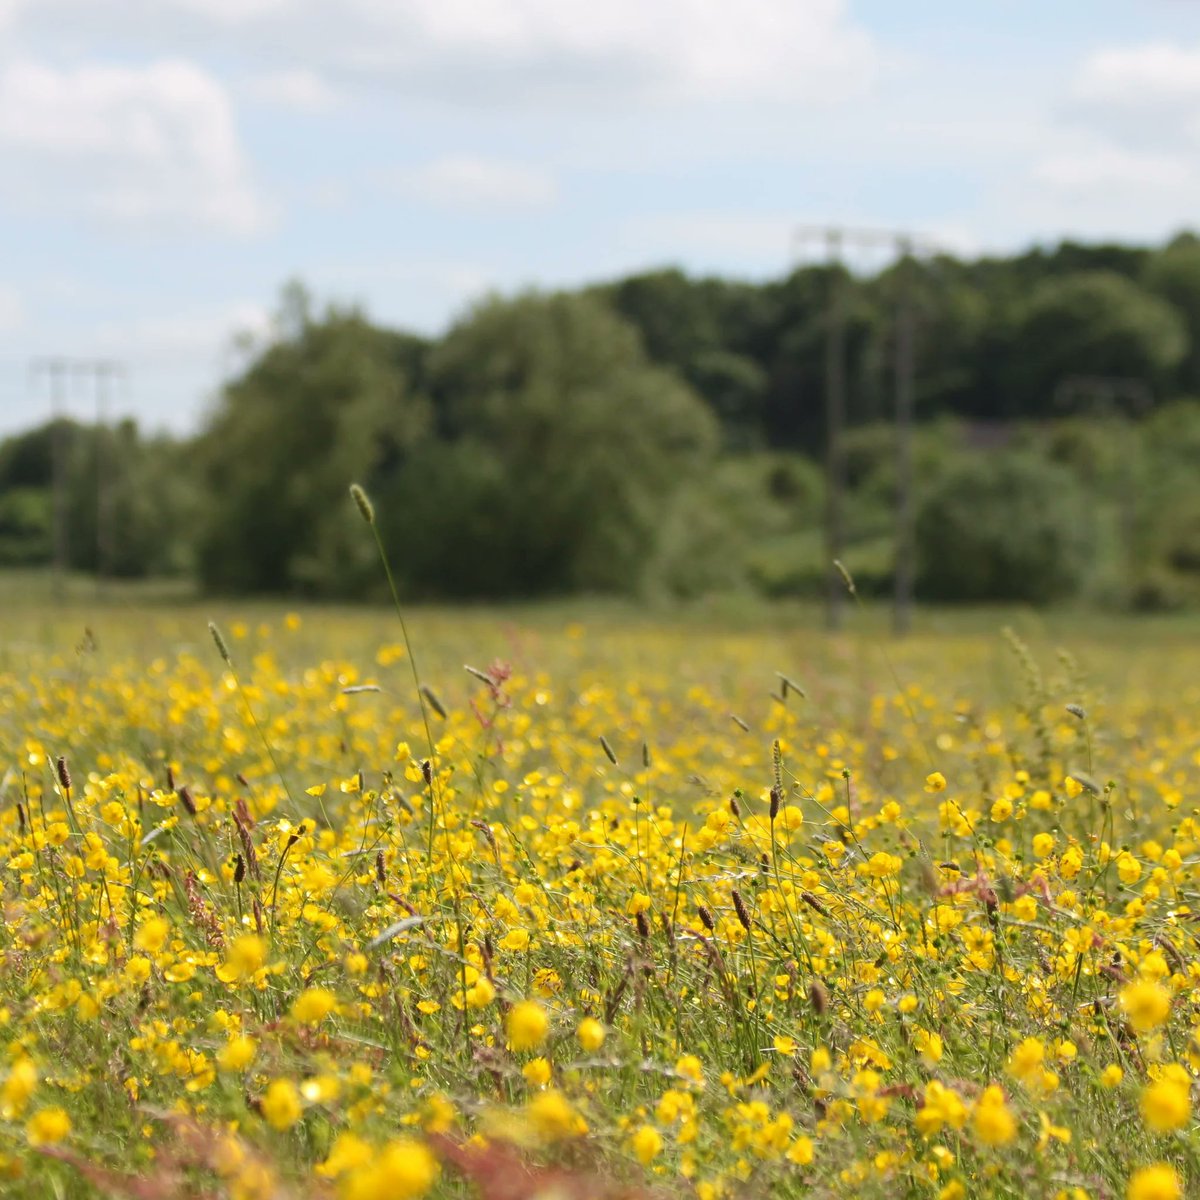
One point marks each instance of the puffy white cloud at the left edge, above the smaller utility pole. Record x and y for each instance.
(145, 146)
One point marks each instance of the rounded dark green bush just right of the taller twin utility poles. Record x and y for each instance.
(1011, 527)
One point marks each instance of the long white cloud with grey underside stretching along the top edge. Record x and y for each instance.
(465, 51)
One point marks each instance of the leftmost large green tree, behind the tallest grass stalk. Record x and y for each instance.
(329, 403)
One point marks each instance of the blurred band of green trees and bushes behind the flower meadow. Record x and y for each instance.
(664, 435)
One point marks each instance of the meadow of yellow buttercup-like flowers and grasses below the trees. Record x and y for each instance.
(608, 909)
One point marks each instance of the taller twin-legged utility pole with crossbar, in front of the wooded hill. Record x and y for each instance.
(905, 247)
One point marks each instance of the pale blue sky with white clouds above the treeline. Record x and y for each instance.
(167, 166)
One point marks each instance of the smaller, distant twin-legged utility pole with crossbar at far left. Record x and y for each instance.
(58, 370)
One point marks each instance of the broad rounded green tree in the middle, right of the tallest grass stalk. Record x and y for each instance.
(574, 439)
